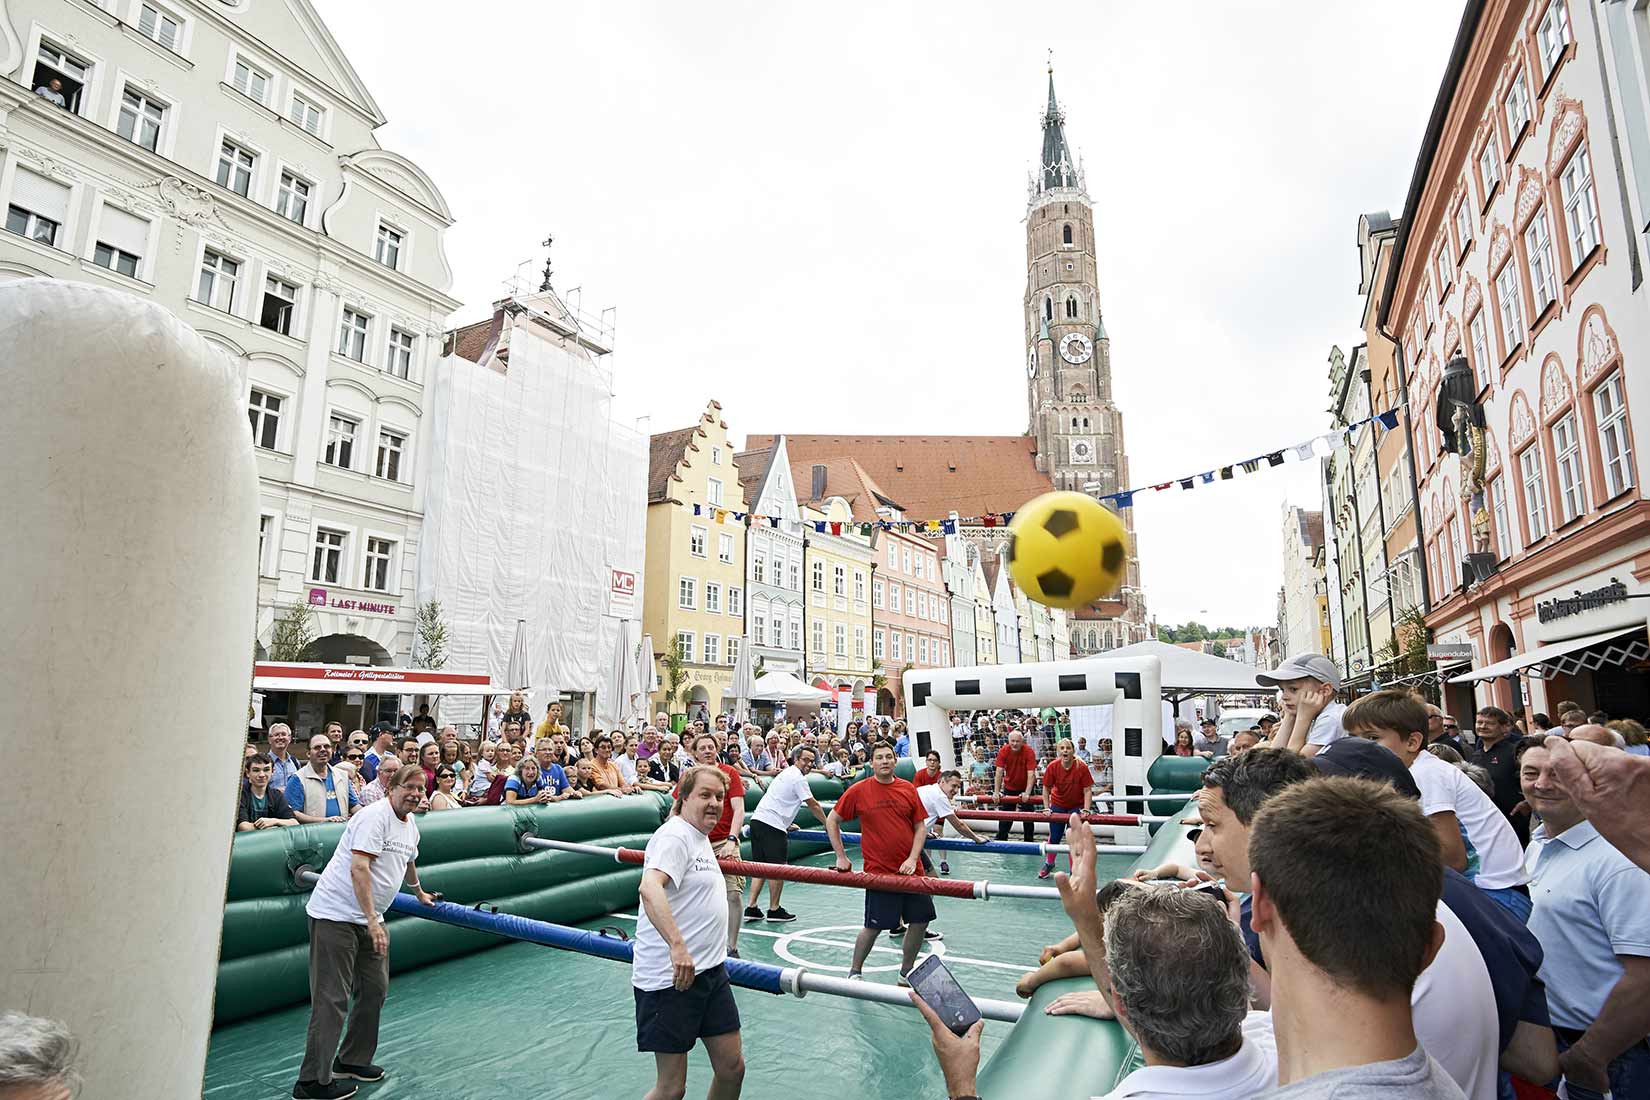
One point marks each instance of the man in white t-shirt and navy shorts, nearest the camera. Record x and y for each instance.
(679, 969)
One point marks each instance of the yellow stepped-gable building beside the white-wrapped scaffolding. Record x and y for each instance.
(694, 596)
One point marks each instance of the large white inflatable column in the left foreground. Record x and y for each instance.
(128, 590)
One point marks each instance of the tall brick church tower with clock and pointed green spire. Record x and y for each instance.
(1078, 431)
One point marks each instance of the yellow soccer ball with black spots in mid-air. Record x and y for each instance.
(1067, 550)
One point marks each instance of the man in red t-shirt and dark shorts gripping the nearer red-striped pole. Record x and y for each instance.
(892, 834)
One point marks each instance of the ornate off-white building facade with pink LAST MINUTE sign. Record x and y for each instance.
(220, 159)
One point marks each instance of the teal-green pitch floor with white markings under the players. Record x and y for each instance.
(526, 1020)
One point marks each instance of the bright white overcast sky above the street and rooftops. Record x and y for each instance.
(813, 214)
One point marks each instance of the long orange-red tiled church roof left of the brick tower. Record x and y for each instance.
(930, 476)
